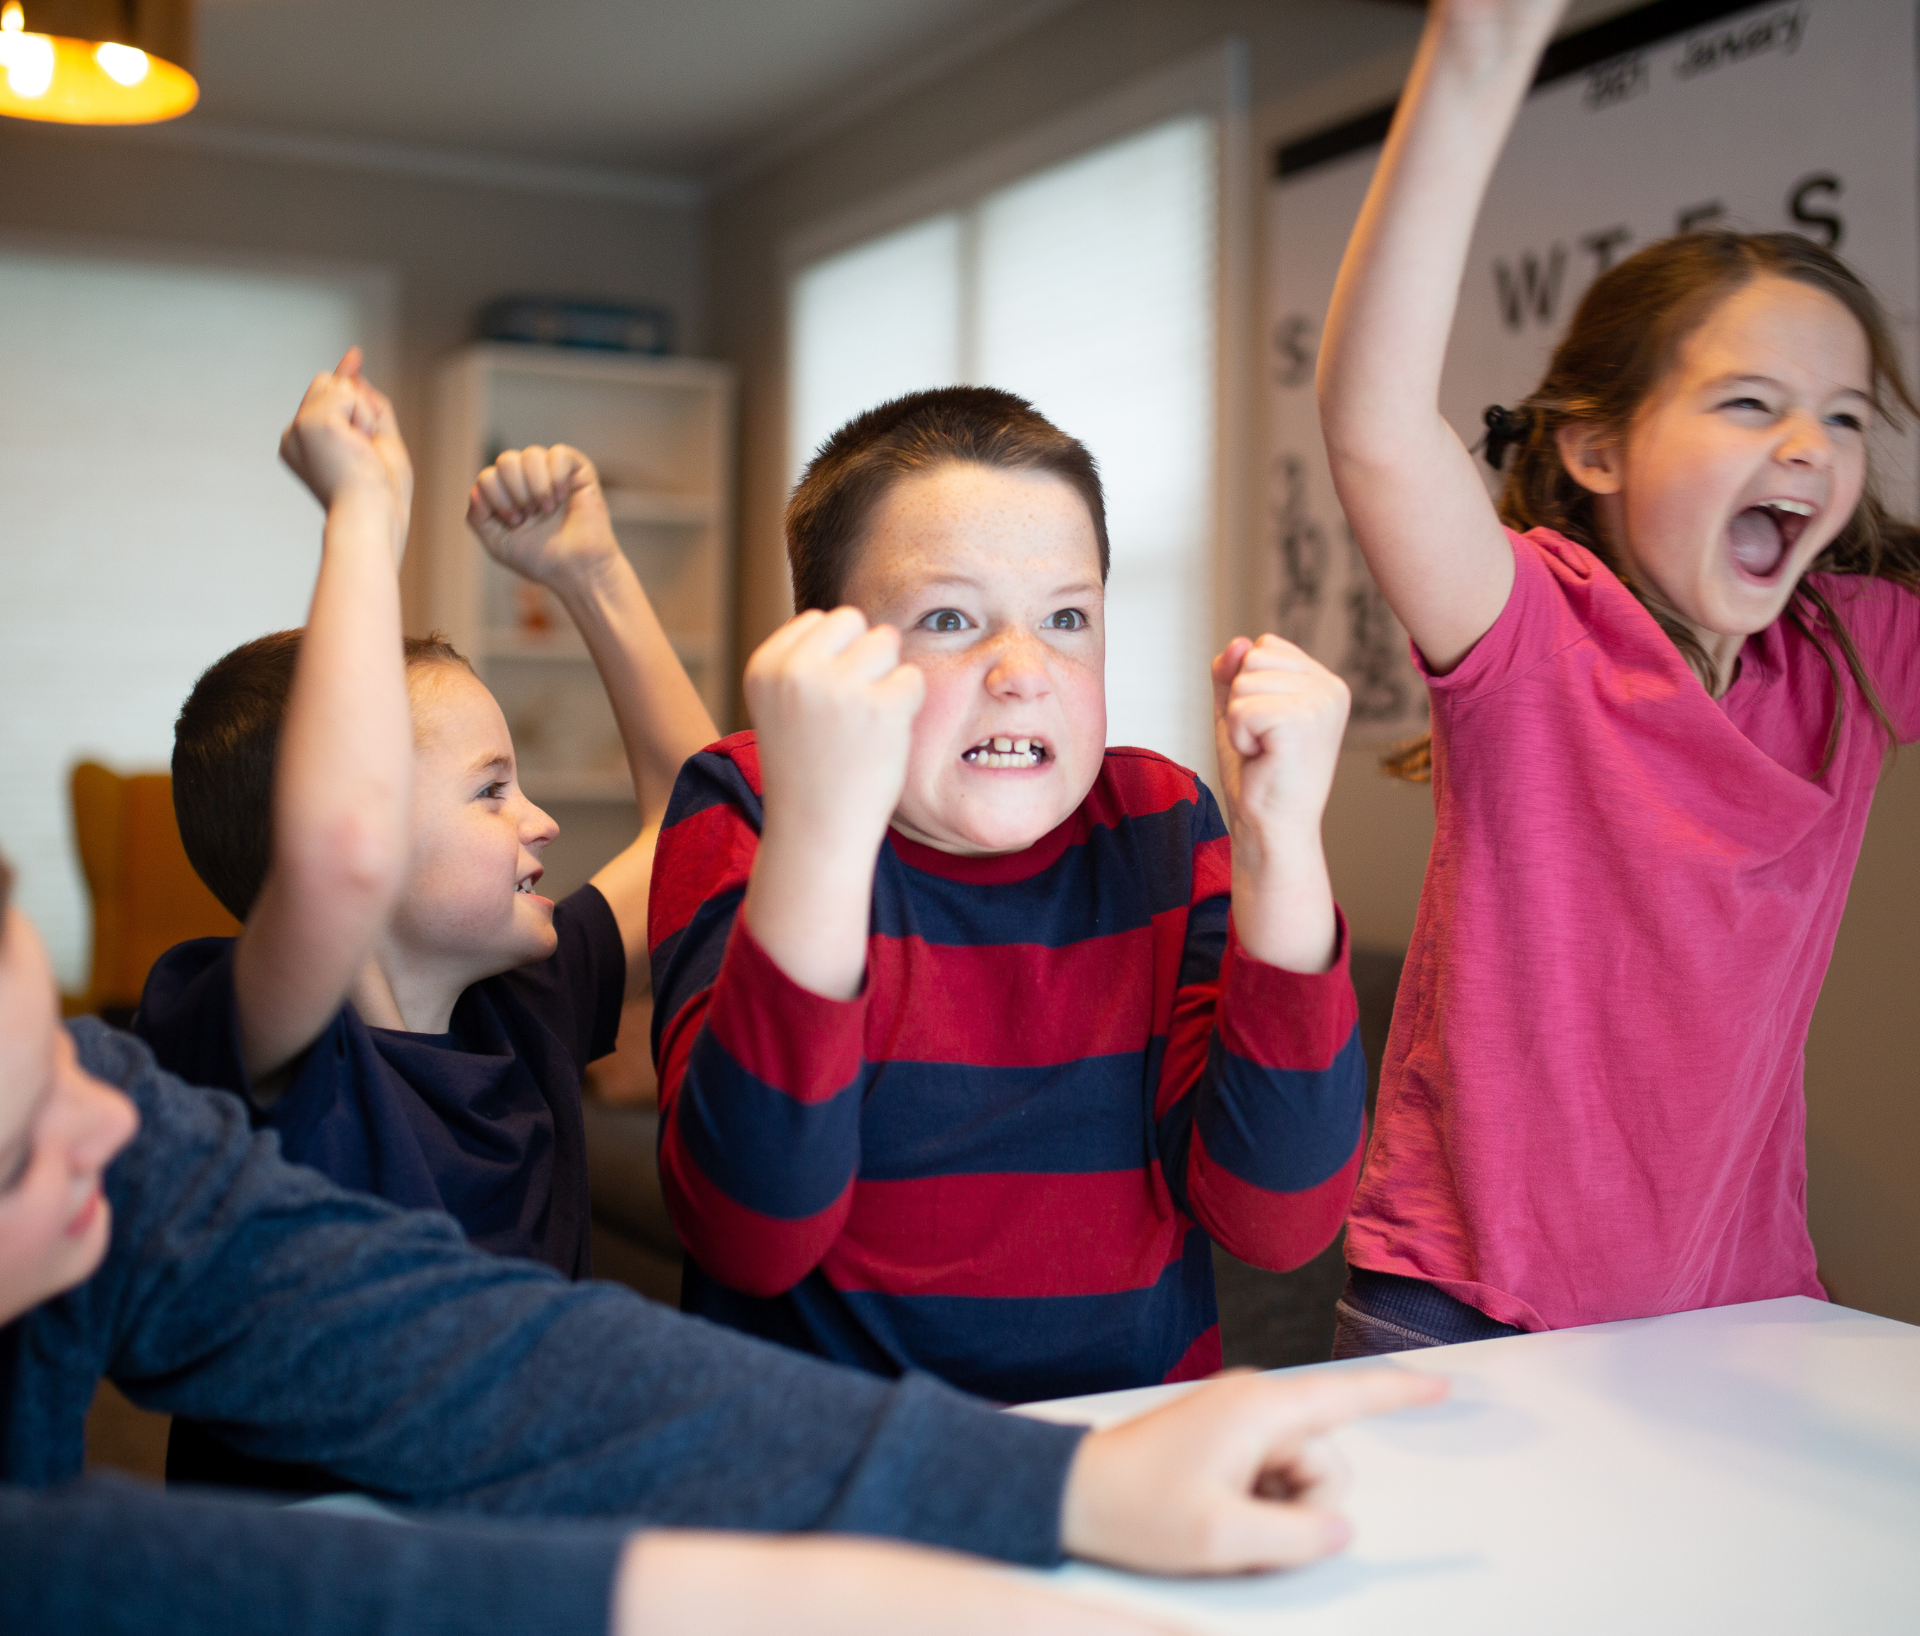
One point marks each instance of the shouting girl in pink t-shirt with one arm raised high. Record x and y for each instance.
(1662, 698)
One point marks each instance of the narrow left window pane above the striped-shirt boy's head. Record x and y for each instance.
(869, 325)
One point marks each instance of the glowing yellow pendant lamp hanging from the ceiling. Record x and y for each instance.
(97, 62)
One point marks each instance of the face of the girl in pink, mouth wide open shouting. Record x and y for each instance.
(1746, 462)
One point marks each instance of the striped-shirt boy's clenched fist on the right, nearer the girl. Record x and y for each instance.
(1278, 723)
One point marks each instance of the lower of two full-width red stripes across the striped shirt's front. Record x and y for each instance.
(1009, 1236)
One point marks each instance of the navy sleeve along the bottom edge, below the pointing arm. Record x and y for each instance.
(110, 1558)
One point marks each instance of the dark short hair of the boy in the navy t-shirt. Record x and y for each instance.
(226, 744)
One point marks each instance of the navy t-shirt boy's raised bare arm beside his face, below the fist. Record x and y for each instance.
(341, 798)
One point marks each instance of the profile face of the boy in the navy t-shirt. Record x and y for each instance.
(469, 905)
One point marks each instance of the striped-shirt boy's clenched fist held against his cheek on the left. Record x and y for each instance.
(834, 710)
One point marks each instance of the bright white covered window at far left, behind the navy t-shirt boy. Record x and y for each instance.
(145, 521)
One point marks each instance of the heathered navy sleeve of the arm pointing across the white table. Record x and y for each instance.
(312, 1326)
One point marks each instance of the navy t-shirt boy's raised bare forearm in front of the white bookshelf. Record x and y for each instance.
(661, 717)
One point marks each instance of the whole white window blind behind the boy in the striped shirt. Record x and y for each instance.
(1090, 289)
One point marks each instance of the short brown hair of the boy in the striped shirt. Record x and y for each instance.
(909, 437)
